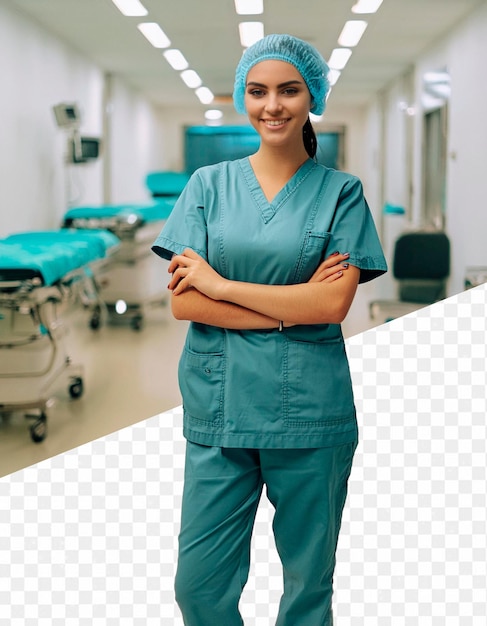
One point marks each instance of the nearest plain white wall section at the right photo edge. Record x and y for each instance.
(466, 220)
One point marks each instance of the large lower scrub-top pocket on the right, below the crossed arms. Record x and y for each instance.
(317, 385)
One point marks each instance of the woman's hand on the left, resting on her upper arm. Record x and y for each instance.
(189, 269)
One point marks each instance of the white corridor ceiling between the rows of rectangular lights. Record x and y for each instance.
(206, 31)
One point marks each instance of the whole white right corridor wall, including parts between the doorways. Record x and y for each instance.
(462, 52)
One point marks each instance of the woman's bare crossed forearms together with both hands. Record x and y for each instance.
(202, 295)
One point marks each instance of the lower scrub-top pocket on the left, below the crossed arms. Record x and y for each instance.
(201, 378)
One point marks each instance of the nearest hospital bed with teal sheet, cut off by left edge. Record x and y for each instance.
(39, 273)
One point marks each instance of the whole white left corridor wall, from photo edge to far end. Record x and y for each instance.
(36, 72)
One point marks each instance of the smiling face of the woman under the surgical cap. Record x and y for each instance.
(278, 102)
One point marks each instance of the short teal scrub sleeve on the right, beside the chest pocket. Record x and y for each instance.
(353, 230)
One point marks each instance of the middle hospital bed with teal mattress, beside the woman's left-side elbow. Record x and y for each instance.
(136, 279)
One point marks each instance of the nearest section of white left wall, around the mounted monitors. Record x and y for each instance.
(37, 72)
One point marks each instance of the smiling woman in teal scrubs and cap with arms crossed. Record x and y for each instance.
(266, 254)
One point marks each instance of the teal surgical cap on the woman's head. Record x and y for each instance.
(305, 58)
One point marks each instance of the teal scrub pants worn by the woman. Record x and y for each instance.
(222, 489)
